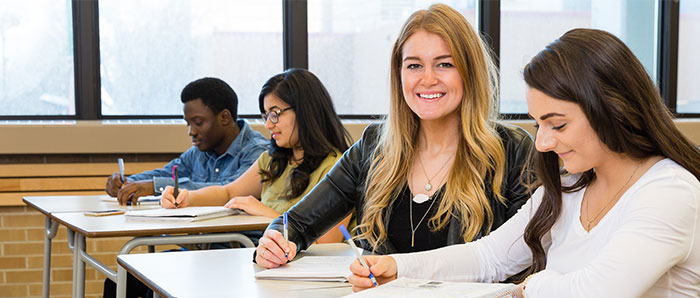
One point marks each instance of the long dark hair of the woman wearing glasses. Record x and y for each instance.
(319, 128)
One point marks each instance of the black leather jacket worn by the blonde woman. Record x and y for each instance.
(342, 191)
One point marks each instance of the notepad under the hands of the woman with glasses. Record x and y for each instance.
(181, 214)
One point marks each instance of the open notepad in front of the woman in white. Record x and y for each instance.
(421, 288)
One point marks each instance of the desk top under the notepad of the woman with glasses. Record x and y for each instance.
(118, 225)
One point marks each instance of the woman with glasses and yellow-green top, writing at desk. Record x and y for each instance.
(307, 139)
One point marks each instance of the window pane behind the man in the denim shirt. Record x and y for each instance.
(149, 51)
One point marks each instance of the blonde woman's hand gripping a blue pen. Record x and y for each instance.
(271, 248)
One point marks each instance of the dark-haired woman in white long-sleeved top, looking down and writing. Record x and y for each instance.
(624, 218)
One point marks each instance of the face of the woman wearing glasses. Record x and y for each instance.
(284, 132)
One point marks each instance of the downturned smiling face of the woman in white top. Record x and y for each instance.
(565, 130)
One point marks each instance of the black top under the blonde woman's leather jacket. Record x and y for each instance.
(400, 223)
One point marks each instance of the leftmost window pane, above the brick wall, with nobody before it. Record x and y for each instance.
(36, 58)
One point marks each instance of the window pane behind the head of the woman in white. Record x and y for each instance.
(527, 26)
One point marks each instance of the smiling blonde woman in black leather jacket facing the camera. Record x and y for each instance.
(439, 171)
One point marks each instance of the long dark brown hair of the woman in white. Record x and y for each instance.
(600, 73)
